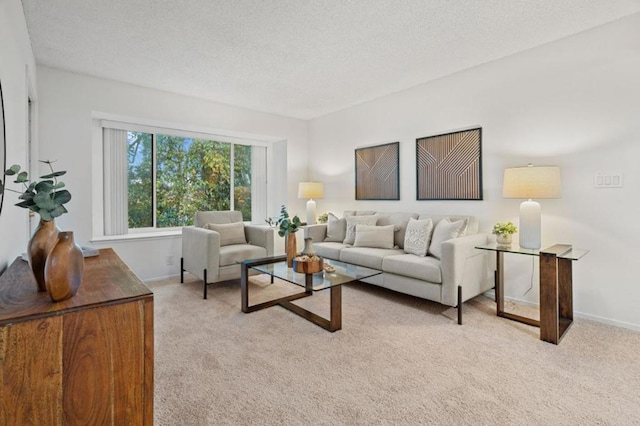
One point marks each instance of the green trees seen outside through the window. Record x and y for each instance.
(191, 175)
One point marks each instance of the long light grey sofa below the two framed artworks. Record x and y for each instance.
(461, 273)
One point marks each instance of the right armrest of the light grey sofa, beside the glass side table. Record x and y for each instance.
(464, 265)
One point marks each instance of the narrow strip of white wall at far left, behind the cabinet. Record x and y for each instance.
(17, 75)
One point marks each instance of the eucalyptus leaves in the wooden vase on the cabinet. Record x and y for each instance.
(45, 197)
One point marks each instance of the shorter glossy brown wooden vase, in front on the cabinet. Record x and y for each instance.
(64, 268)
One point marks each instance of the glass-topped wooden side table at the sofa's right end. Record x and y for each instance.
(556, 287)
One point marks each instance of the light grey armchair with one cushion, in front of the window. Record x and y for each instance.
(213, 248)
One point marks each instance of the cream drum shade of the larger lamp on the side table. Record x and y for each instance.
(532, 182)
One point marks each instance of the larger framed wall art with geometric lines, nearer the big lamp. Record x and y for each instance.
(449, 166)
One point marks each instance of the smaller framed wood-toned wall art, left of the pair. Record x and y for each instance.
(378, 172)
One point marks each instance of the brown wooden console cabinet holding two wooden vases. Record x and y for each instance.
(87, 360)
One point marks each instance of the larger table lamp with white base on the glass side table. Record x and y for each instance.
(531, 182)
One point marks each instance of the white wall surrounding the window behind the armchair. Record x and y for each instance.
(67, 102)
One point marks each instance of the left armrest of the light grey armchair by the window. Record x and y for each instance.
(200, 251)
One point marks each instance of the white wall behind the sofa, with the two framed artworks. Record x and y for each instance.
(572, 103)
